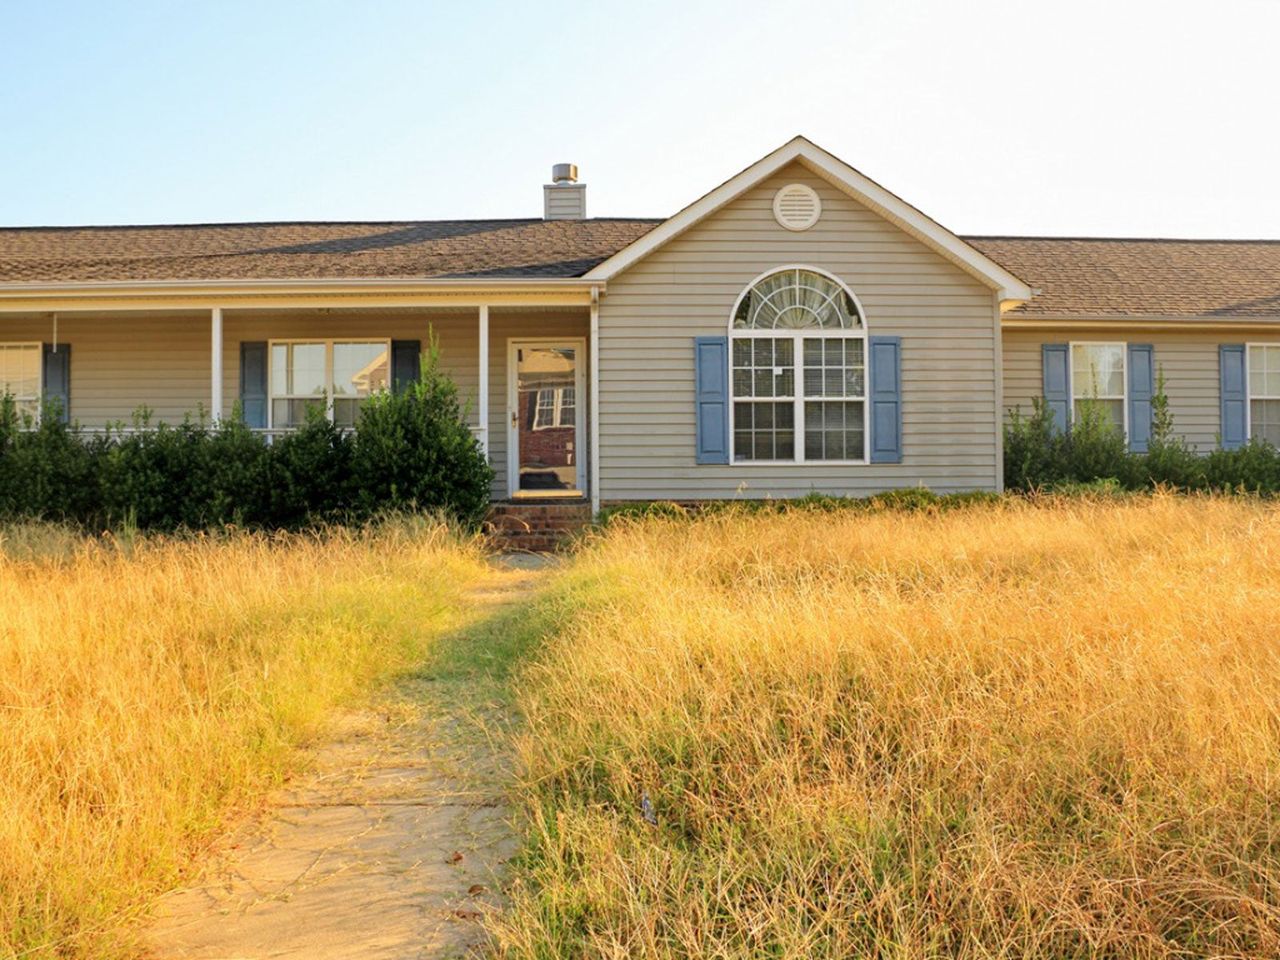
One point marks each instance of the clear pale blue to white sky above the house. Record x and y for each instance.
(1084, 117)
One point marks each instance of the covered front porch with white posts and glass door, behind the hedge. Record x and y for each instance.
(525, 371)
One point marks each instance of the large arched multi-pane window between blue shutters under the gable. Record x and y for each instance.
(798, 342)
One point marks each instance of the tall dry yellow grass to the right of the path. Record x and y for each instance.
(1016, 732)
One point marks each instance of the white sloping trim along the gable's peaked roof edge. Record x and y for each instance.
(844, 177)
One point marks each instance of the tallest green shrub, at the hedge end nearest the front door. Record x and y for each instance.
(415, 451)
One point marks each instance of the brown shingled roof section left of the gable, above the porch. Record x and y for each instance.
(419, 249)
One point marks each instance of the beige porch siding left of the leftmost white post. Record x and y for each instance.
(122, 364)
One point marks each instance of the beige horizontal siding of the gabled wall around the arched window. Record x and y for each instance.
(688, 289)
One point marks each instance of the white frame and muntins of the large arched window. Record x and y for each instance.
(798, 337)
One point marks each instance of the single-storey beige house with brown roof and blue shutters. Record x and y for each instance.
(798, 328)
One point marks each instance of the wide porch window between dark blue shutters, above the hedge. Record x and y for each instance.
(335, 377)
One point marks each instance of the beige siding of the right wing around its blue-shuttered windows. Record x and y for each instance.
(1188, 360)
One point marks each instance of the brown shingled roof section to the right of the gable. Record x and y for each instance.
(1081, 277)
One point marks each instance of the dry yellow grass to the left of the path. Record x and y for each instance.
(147, 688)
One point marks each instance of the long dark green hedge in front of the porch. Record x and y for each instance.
(412, 450)
